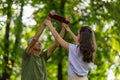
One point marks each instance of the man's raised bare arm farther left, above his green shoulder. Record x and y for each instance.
(35, 38)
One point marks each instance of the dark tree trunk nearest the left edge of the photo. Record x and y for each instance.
(7, 69)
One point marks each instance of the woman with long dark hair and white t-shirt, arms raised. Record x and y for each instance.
(81, 55)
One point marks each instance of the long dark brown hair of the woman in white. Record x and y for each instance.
(87, 43)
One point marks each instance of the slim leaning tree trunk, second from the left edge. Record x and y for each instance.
(18, 31)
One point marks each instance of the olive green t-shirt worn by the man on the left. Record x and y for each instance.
(34, 67)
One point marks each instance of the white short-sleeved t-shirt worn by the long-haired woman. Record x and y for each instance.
(76, 65)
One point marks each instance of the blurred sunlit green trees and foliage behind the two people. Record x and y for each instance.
(20, 19)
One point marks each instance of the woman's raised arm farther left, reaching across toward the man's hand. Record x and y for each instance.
(57, 37)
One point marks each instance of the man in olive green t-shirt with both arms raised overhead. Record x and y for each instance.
(34, 60)
